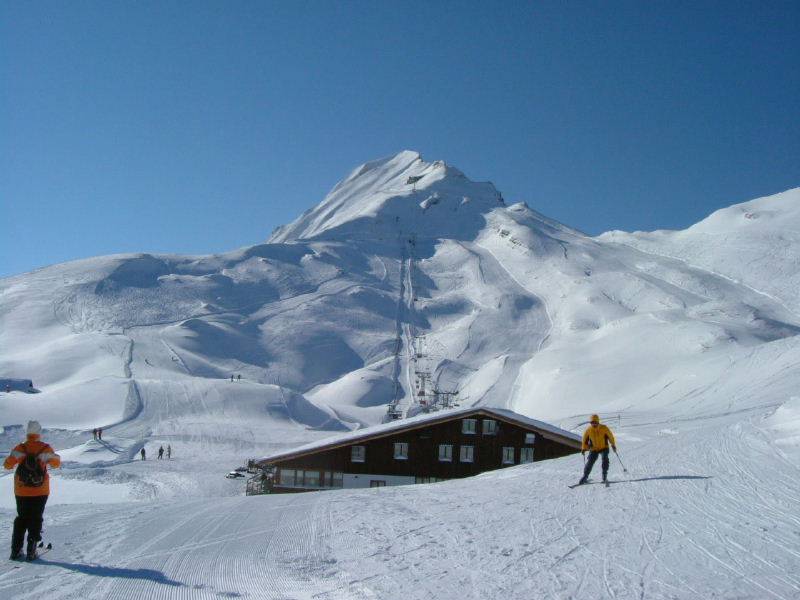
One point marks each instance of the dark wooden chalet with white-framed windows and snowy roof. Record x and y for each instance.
(422, 449)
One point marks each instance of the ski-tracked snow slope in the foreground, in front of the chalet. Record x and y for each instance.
(708, 509)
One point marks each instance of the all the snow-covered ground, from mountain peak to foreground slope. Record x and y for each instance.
(688, 355)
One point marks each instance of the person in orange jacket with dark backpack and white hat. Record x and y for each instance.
(31, 488)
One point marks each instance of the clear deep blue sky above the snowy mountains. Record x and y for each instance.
(197, 127)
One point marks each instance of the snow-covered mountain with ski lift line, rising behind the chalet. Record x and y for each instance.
(327, 316)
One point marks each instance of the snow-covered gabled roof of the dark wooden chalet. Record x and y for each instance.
(420, 421)
